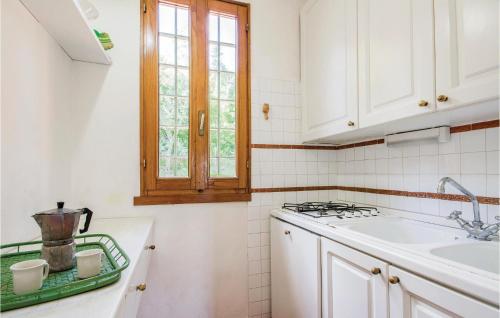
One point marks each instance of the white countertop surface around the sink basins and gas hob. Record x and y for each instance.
(473, 282)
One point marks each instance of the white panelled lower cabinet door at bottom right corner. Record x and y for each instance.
(415, 297)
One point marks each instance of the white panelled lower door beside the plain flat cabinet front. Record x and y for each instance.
(354, 285)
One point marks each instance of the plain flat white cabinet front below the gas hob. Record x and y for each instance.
(295, 272)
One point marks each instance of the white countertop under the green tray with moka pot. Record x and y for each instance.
(131, 235)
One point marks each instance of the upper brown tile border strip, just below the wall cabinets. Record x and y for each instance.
(453, 130)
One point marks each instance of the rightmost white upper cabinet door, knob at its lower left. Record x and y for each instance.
(467, 40)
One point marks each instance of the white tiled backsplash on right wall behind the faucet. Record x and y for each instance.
(471, 158)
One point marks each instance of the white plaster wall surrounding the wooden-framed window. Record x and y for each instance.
(200, 268)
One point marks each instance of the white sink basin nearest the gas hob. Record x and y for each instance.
(403, 231)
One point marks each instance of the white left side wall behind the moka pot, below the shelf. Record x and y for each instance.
(34, 122)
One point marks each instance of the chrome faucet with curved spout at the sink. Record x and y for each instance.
(476, 229)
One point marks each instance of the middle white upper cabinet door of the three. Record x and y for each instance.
(396, 59)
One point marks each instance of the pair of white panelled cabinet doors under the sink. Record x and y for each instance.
(357, 285)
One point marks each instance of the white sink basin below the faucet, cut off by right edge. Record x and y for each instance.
(482, 255)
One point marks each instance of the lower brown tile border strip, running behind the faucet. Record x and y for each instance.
(425, 195)
